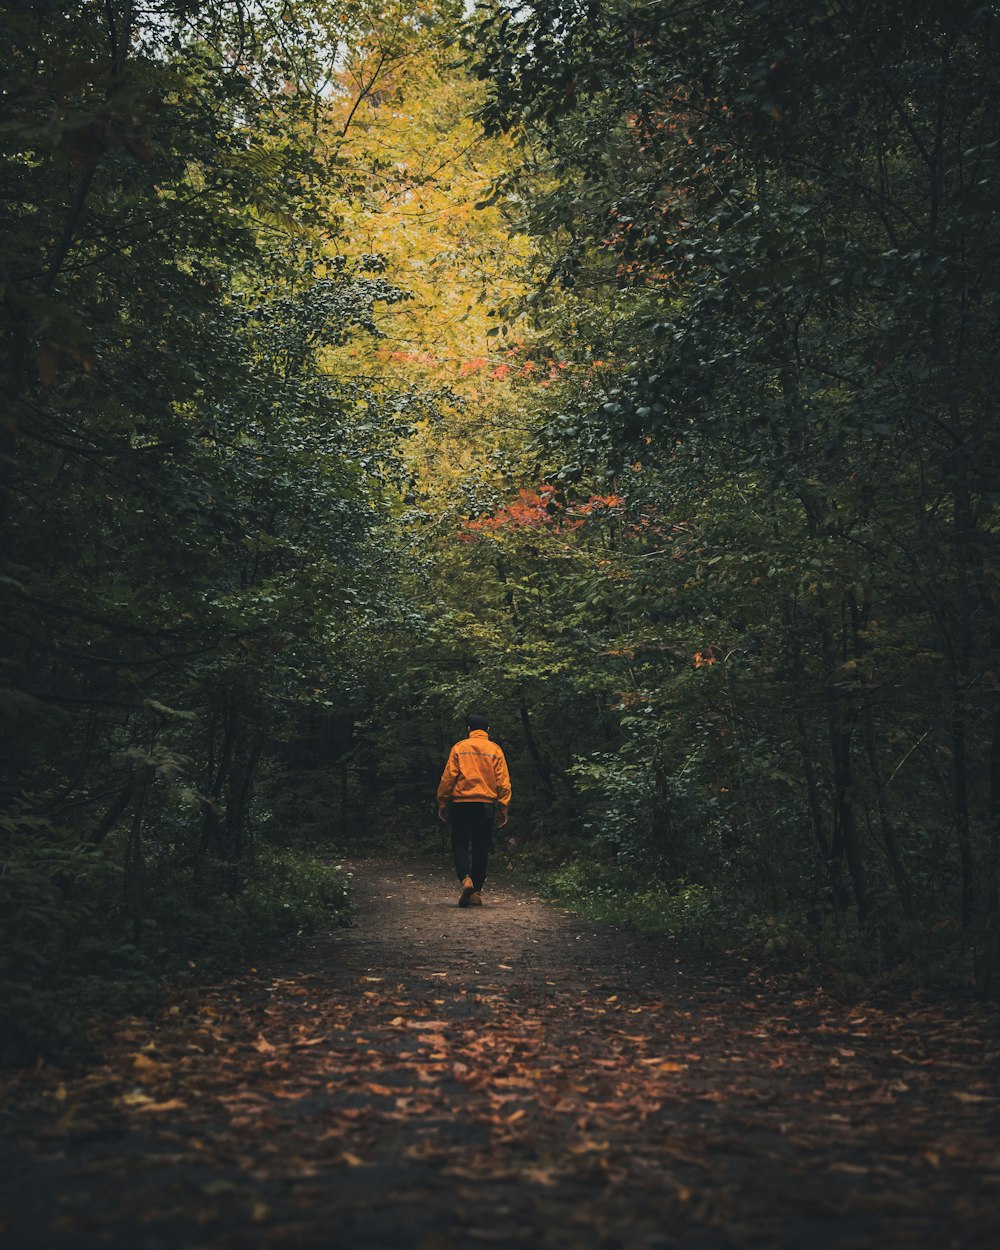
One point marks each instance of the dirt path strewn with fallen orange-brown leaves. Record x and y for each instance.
(437, 1078)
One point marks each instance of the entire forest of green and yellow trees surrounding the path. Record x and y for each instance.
(713, 544)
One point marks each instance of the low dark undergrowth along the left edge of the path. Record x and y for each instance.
(69, 952)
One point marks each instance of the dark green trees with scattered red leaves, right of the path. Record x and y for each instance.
(772, 272)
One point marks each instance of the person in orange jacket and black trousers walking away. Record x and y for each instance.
(474, 783)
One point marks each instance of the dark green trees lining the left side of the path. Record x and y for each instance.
(193, 503)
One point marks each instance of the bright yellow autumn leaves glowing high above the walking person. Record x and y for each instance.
(429, 168)
